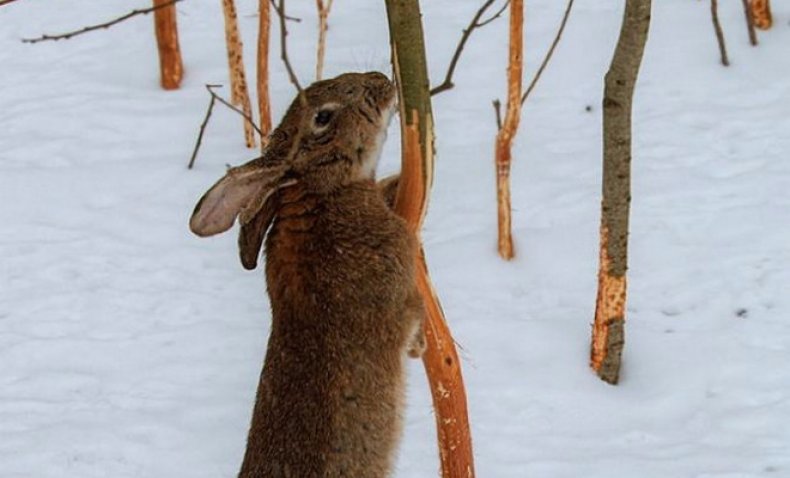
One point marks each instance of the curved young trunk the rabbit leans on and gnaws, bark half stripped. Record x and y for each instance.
(441, 358)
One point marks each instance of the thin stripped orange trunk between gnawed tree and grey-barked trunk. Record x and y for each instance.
(504, 139)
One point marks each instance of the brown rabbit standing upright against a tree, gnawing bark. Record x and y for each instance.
(340, 276)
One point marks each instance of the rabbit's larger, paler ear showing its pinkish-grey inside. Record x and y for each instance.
(242, 191)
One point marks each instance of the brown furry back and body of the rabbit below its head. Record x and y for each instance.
(339, 272)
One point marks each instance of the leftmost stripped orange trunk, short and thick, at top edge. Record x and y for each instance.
(171, 69)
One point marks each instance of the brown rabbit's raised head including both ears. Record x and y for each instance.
(330, 136)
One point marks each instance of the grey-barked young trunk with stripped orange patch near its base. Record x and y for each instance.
(608, 328)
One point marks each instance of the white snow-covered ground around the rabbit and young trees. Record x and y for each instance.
(131, 348)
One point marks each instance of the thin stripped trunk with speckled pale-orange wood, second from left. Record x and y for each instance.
(238, 84)
